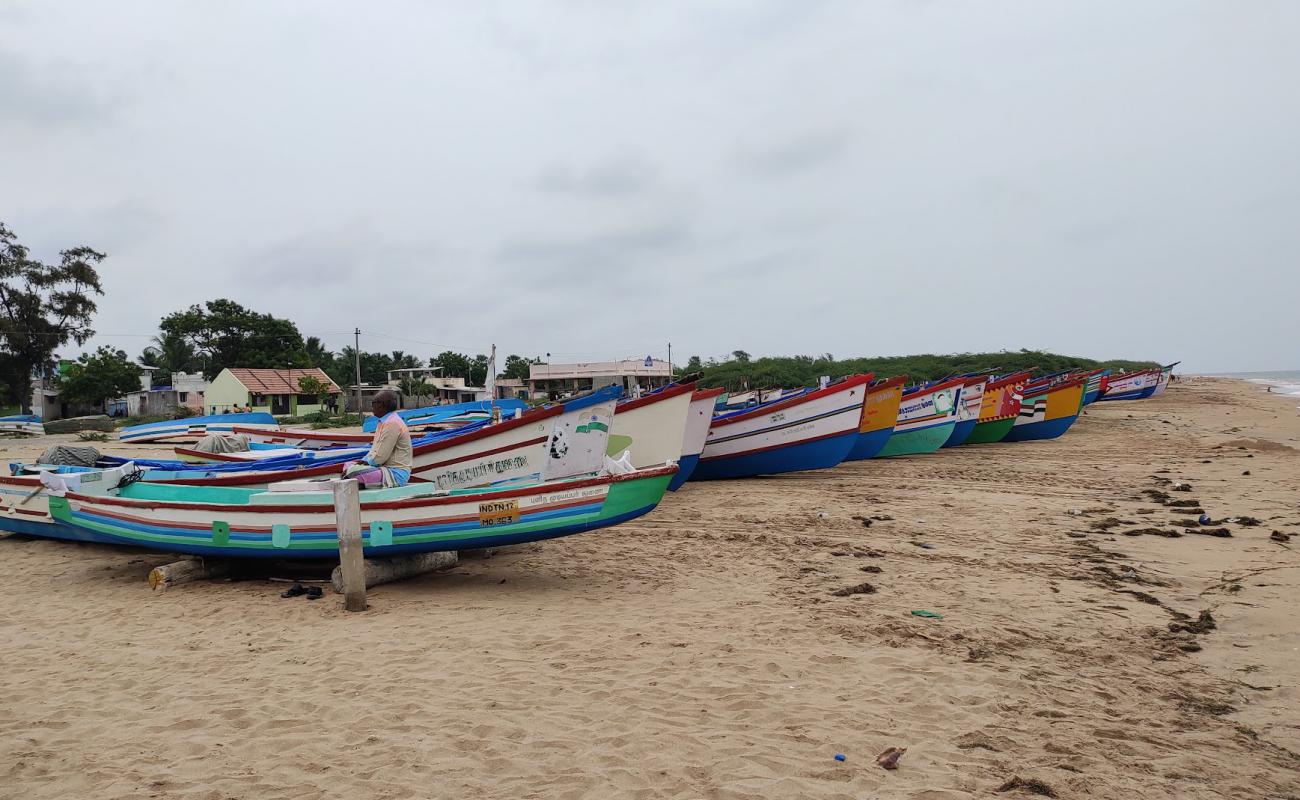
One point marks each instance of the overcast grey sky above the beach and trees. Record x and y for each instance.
(597, 179)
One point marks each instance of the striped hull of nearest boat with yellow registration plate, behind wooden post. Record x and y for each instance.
(302, 525)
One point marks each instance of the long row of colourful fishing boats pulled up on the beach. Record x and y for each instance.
(505, 474)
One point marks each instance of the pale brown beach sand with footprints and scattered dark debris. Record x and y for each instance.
(700, 654)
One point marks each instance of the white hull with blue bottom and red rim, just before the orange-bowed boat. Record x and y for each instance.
(812, 431)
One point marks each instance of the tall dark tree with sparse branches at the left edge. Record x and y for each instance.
(42, 308)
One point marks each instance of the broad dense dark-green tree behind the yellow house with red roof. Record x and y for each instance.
(233, 336)
